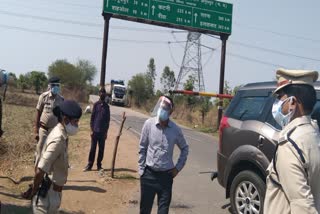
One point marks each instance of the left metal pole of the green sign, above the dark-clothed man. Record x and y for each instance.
(104, 48)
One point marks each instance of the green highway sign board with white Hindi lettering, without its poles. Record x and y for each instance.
(208, 15)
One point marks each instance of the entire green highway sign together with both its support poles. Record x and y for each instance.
(203, 16)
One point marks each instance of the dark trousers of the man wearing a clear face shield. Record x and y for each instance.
(152, 183)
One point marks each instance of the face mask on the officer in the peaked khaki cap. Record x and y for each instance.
(280, 118)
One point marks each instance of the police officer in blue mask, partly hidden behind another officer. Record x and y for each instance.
(45, 120)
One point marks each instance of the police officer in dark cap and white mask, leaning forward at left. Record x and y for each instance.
(52, 170)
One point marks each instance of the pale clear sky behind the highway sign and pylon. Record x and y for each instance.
(265, 35)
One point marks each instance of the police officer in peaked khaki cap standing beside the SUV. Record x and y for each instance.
(293, 184)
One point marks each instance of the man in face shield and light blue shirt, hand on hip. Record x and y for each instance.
(156, 168)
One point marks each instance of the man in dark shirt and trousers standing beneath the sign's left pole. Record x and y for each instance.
(99, 124)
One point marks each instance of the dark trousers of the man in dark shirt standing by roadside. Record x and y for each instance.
(96, 138)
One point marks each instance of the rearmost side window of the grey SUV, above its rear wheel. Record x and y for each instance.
(249, 108)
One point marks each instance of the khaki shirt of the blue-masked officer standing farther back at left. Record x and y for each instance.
(45, 105)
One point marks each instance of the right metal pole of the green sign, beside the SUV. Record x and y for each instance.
(224, 38)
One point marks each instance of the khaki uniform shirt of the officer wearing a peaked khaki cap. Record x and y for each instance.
(300, 191)
